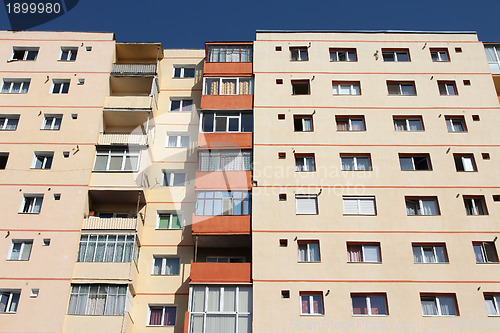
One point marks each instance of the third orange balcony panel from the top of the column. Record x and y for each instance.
(225, 140)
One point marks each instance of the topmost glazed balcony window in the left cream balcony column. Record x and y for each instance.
(116, 159)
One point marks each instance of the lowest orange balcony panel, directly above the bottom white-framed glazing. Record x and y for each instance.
(207, 272)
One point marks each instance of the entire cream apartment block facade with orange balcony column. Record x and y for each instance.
(306, 181)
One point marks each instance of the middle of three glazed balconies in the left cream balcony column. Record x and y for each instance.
(107, 248)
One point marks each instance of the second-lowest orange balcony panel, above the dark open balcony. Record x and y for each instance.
(221, 225)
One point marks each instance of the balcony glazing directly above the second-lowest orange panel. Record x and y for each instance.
(215, 203)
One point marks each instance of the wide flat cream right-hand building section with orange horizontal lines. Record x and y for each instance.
(376, 193)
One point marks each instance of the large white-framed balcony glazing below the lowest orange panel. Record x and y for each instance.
(226, 308)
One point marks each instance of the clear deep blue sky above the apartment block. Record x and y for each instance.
(188, 24)
